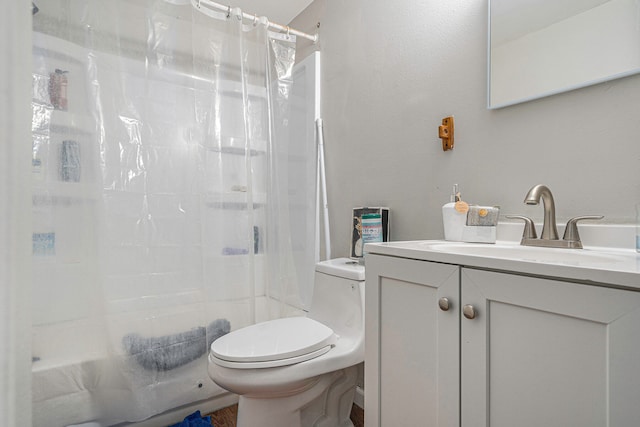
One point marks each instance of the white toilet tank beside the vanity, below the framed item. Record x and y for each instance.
(338, 296)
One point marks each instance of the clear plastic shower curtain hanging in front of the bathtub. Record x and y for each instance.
(161, 201)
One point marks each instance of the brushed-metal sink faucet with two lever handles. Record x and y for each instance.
(549, 237)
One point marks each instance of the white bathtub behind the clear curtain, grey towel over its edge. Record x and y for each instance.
(76, 379)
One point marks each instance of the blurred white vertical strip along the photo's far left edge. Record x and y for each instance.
(15, 224)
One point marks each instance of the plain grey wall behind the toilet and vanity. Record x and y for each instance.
(393, 70)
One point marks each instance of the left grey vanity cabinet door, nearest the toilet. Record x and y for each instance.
(412, 346)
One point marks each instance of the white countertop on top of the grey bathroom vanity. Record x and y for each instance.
(598, 263)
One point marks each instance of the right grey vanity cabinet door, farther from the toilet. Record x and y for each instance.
(548, 353)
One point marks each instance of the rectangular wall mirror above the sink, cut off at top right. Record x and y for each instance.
(539, 48)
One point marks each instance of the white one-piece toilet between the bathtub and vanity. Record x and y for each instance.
(299, 371)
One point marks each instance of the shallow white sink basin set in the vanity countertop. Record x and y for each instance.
(526, 253)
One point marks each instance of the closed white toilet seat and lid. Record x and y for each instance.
(278, 342)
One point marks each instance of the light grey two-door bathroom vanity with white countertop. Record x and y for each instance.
(501, 336)
